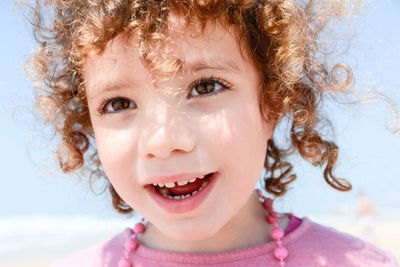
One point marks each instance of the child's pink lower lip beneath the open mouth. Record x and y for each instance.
(183, 205)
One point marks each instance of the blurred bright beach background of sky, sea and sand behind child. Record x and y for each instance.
(46, 215)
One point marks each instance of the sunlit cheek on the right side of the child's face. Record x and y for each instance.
(238, 136)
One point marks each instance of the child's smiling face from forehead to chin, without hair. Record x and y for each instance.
(163, 129)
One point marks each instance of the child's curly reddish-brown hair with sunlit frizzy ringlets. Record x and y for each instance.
(281, 37)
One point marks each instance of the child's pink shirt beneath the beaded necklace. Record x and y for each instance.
(309, 244)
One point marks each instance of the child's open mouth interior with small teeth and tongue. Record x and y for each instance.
(182, 189)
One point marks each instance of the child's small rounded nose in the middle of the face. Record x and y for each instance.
(165, 131)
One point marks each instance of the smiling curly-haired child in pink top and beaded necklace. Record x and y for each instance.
(175, 102)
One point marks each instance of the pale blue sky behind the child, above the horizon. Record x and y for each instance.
(369, 152)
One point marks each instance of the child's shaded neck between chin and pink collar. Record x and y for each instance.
(247, 228)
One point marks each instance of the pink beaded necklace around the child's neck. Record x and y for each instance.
(280, 252)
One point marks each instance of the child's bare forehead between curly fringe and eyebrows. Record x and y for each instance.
(185, 45)
